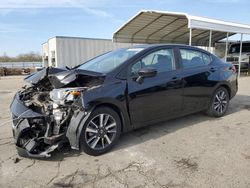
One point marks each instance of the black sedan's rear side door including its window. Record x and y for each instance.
(198, 79)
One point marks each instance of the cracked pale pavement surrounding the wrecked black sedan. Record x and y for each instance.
(193, 151)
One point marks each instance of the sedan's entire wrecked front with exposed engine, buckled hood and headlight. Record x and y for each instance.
(42, 111)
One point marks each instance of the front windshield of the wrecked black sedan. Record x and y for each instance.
(109, 61)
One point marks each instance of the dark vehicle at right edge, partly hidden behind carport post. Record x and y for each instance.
(234, 54)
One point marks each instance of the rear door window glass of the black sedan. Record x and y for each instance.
(193, 58)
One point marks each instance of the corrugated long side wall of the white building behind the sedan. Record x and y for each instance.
(74, 51)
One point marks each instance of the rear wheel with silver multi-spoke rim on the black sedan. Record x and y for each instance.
(219, 103)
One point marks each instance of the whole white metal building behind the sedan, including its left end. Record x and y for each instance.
(62, 51)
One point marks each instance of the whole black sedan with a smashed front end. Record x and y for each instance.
(89, 106)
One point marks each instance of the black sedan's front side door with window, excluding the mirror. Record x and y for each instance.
(158, 97)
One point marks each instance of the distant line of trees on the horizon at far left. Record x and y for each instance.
(28, 57)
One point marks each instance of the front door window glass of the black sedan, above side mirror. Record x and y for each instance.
(162, 60)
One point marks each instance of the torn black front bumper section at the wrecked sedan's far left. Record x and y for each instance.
(26, 126)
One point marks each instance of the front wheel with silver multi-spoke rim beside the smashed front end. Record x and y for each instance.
(101, 131)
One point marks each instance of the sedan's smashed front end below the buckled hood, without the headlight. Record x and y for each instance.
(40, 124)
